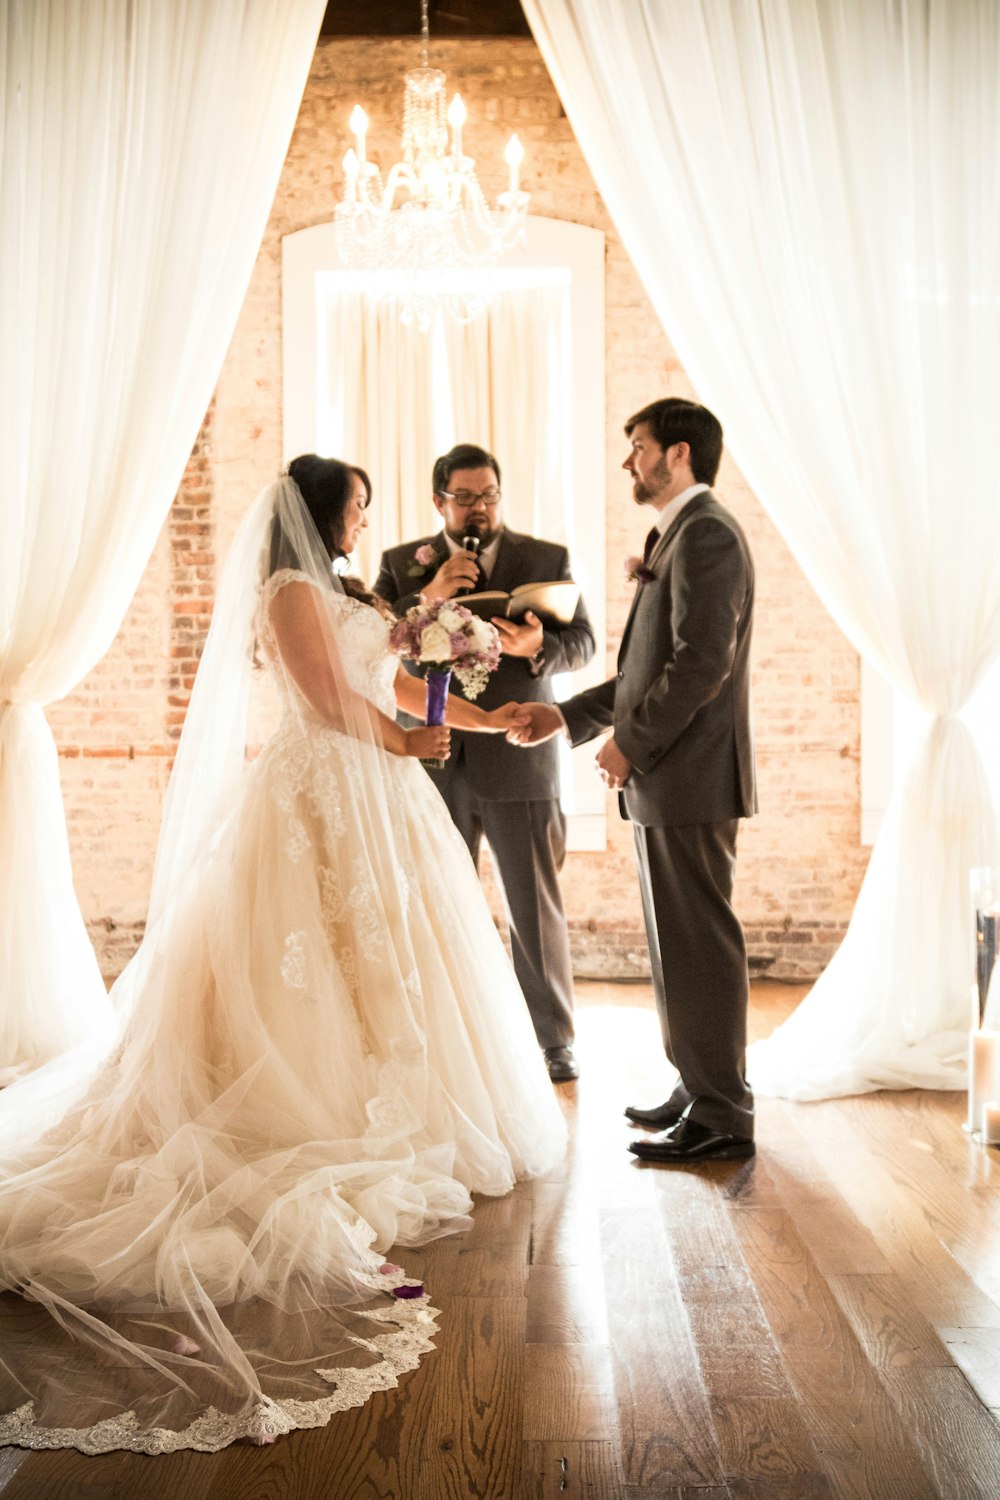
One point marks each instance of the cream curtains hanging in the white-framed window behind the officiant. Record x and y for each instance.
(397, 397)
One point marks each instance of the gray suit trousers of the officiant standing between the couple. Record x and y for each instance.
(528, 845)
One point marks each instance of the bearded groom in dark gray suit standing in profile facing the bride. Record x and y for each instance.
(681, 758)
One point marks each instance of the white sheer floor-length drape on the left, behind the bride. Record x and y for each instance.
(140, 149)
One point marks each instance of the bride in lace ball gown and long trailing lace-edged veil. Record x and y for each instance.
(322, 1048)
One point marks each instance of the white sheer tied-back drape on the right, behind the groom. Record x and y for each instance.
(809, 191)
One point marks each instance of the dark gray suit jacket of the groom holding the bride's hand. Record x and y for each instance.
(680, 703)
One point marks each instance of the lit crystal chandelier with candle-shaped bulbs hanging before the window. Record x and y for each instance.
(428, 215)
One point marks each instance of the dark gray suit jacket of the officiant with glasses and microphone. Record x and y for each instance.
(499, 772)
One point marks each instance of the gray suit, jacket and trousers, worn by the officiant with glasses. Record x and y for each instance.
(497, 790)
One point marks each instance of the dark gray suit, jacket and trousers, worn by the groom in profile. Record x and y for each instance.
(680, 709)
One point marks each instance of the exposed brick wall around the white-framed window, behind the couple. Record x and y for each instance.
(801, 862)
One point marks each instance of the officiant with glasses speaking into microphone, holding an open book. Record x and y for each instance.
(493, 788)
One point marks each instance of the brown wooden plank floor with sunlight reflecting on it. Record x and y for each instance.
(821, 1322)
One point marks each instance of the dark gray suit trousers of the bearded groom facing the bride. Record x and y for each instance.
(698, 956)
